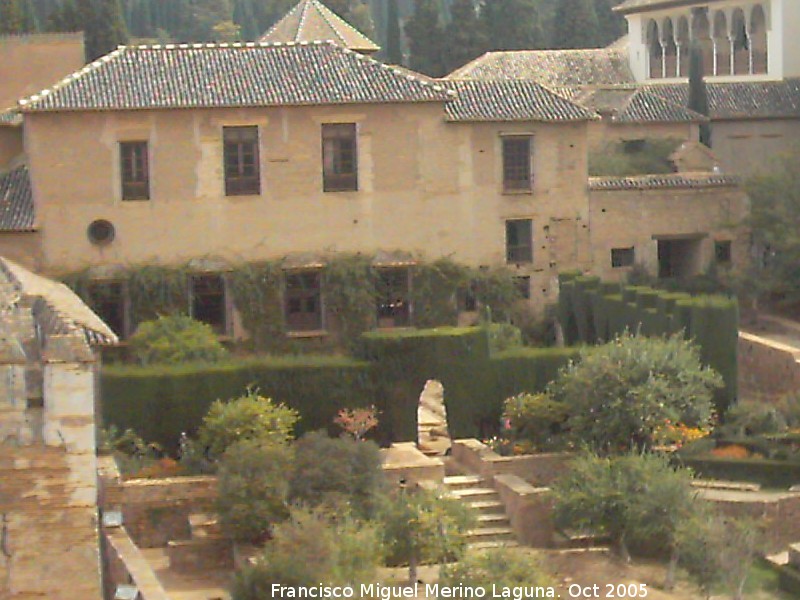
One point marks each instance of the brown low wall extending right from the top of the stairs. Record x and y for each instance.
(539, 470)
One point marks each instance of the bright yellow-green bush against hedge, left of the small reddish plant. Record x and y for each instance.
(249, 417)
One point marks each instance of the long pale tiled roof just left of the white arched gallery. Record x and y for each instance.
(553, 68)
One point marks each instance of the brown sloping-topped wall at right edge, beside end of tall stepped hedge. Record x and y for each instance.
(766, 366)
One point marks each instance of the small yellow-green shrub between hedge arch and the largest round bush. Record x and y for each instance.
(536, 418)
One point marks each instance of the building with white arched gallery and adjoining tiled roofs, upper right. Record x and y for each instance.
(751, 64)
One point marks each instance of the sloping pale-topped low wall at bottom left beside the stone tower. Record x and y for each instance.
(126, 565)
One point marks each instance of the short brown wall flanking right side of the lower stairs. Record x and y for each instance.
(529, 509)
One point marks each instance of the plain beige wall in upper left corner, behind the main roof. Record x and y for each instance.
(30, 63)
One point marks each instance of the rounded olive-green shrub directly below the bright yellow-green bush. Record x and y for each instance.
(253, 488)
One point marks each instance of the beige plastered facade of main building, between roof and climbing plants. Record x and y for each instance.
(425, 186)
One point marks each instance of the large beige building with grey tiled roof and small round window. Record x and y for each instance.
(206, 154)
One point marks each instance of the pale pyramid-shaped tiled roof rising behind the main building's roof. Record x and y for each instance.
(310, 21)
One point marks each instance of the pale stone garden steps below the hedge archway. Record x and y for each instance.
(493, 528)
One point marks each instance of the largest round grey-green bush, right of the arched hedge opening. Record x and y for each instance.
(622, 393)
